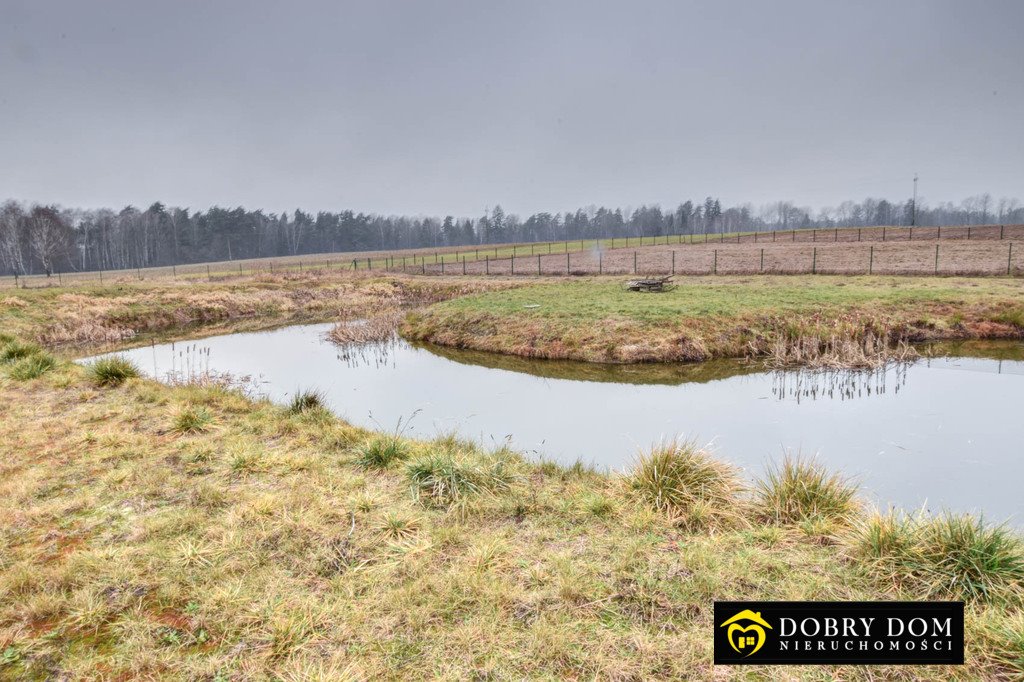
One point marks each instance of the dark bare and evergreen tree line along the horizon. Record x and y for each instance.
(40, 239)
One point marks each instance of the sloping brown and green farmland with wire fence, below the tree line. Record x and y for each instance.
(976, 250)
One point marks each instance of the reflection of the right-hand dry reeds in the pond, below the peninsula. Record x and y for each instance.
(802, 385)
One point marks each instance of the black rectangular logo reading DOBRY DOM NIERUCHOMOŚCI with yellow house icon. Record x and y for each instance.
(929, 645)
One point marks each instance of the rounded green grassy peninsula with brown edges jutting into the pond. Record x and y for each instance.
(704, 318)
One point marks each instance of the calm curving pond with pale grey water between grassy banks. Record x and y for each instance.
(944, 434)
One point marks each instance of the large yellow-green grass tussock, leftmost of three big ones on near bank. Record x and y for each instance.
(684, 481)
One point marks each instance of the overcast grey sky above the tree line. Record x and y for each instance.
(434, 108)
